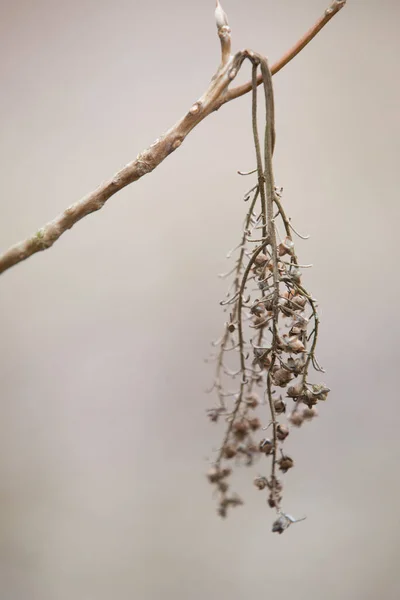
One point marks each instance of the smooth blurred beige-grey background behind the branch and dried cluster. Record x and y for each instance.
(104, 439)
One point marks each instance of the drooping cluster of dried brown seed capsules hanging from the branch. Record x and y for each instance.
(271, 335)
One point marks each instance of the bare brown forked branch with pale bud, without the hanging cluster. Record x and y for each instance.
(215, 96)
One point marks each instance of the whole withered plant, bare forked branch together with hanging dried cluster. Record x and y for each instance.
(272, 327)
